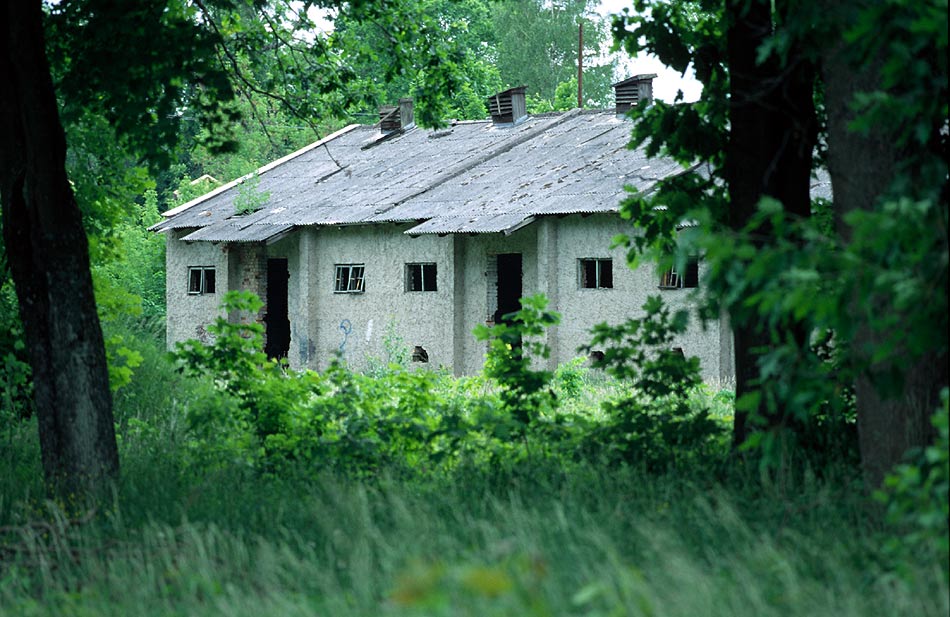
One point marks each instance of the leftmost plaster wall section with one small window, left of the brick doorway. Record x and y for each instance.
(187, 315)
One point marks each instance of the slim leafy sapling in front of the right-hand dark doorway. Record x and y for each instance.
(513, 345)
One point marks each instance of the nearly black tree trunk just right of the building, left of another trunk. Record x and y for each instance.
(772, 134)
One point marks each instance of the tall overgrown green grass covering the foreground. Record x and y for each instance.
(540, 535)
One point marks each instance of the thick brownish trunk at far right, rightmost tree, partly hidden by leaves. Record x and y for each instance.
(862, 167)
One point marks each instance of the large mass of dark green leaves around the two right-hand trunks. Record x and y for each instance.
(803, 280)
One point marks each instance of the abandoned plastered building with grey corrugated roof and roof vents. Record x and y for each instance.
(391, 234)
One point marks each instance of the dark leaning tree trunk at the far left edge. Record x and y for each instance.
(48, 255)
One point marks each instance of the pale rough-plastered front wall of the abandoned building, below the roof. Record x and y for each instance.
(384, 318)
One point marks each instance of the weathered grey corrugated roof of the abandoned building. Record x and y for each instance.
(471, 178)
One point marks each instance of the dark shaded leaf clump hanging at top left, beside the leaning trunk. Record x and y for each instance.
(142, 106)
